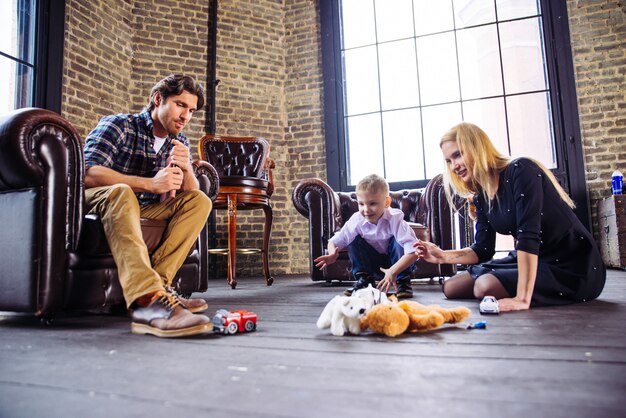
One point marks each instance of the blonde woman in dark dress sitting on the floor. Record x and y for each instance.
(557, 260)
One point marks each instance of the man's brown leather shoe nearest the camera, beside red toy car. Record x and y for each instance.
(165, 317)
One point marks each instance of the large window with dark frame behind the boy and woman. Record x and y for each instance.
(399, 73)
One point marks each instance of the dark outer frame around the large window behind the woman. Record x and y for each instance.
(564, 105)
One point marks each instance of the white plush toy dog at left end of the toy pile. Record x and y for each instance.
(343, 314)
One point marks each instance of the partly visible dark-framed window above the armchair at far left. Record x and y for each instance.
(31, 53)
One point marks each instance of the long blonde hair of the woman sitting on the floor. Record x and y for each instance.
(484, 161)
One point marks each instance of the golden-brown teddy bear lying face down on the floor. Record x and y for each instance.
(393, 319)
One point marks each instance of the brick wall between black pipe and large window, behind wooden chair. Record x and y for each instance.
(268, 64)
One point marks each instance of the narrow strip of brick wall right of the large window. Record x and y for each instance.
(598, 38)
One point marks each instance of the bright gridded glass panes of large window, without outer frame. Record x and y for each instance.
(412, 69)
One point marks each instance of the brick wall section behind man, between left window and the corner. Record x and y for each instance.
(97, 68)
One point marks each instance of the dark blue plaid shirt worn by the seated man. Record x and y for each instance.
(125, 143)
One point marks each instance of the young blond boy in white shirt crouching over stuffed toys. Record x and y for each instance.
(379, 241)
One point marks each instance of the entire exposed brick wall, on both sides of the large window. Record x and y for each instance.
(269, 64)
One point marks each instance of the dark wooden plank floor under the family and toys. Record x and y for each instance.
(550, 362)
